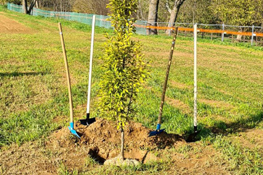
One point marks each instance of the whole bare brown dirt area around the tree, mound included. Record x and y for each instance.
(101, 141)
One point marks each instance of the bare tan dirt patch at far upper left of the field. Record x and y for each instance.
(8, 25)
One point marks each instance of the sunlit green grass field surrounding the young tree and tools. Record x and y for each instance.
(33, 92)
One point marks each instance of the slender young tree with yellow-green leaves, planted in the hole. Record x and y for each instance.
(124, 69)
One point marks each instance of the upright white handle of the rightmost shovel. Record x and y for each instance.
(195, 78)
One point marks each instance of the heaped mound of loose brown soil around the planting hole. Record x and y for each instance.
(102, 140)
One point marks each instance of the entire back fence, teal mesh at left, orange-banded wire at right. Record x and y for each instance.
(223, 32)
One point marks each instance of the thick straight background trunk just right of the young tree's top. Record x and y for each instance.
(153, 16)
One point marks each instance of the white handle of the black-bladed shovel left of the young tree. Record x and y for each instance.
(90, 62)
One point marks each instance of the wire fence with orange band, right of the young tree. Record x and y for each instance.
(223, 32)
